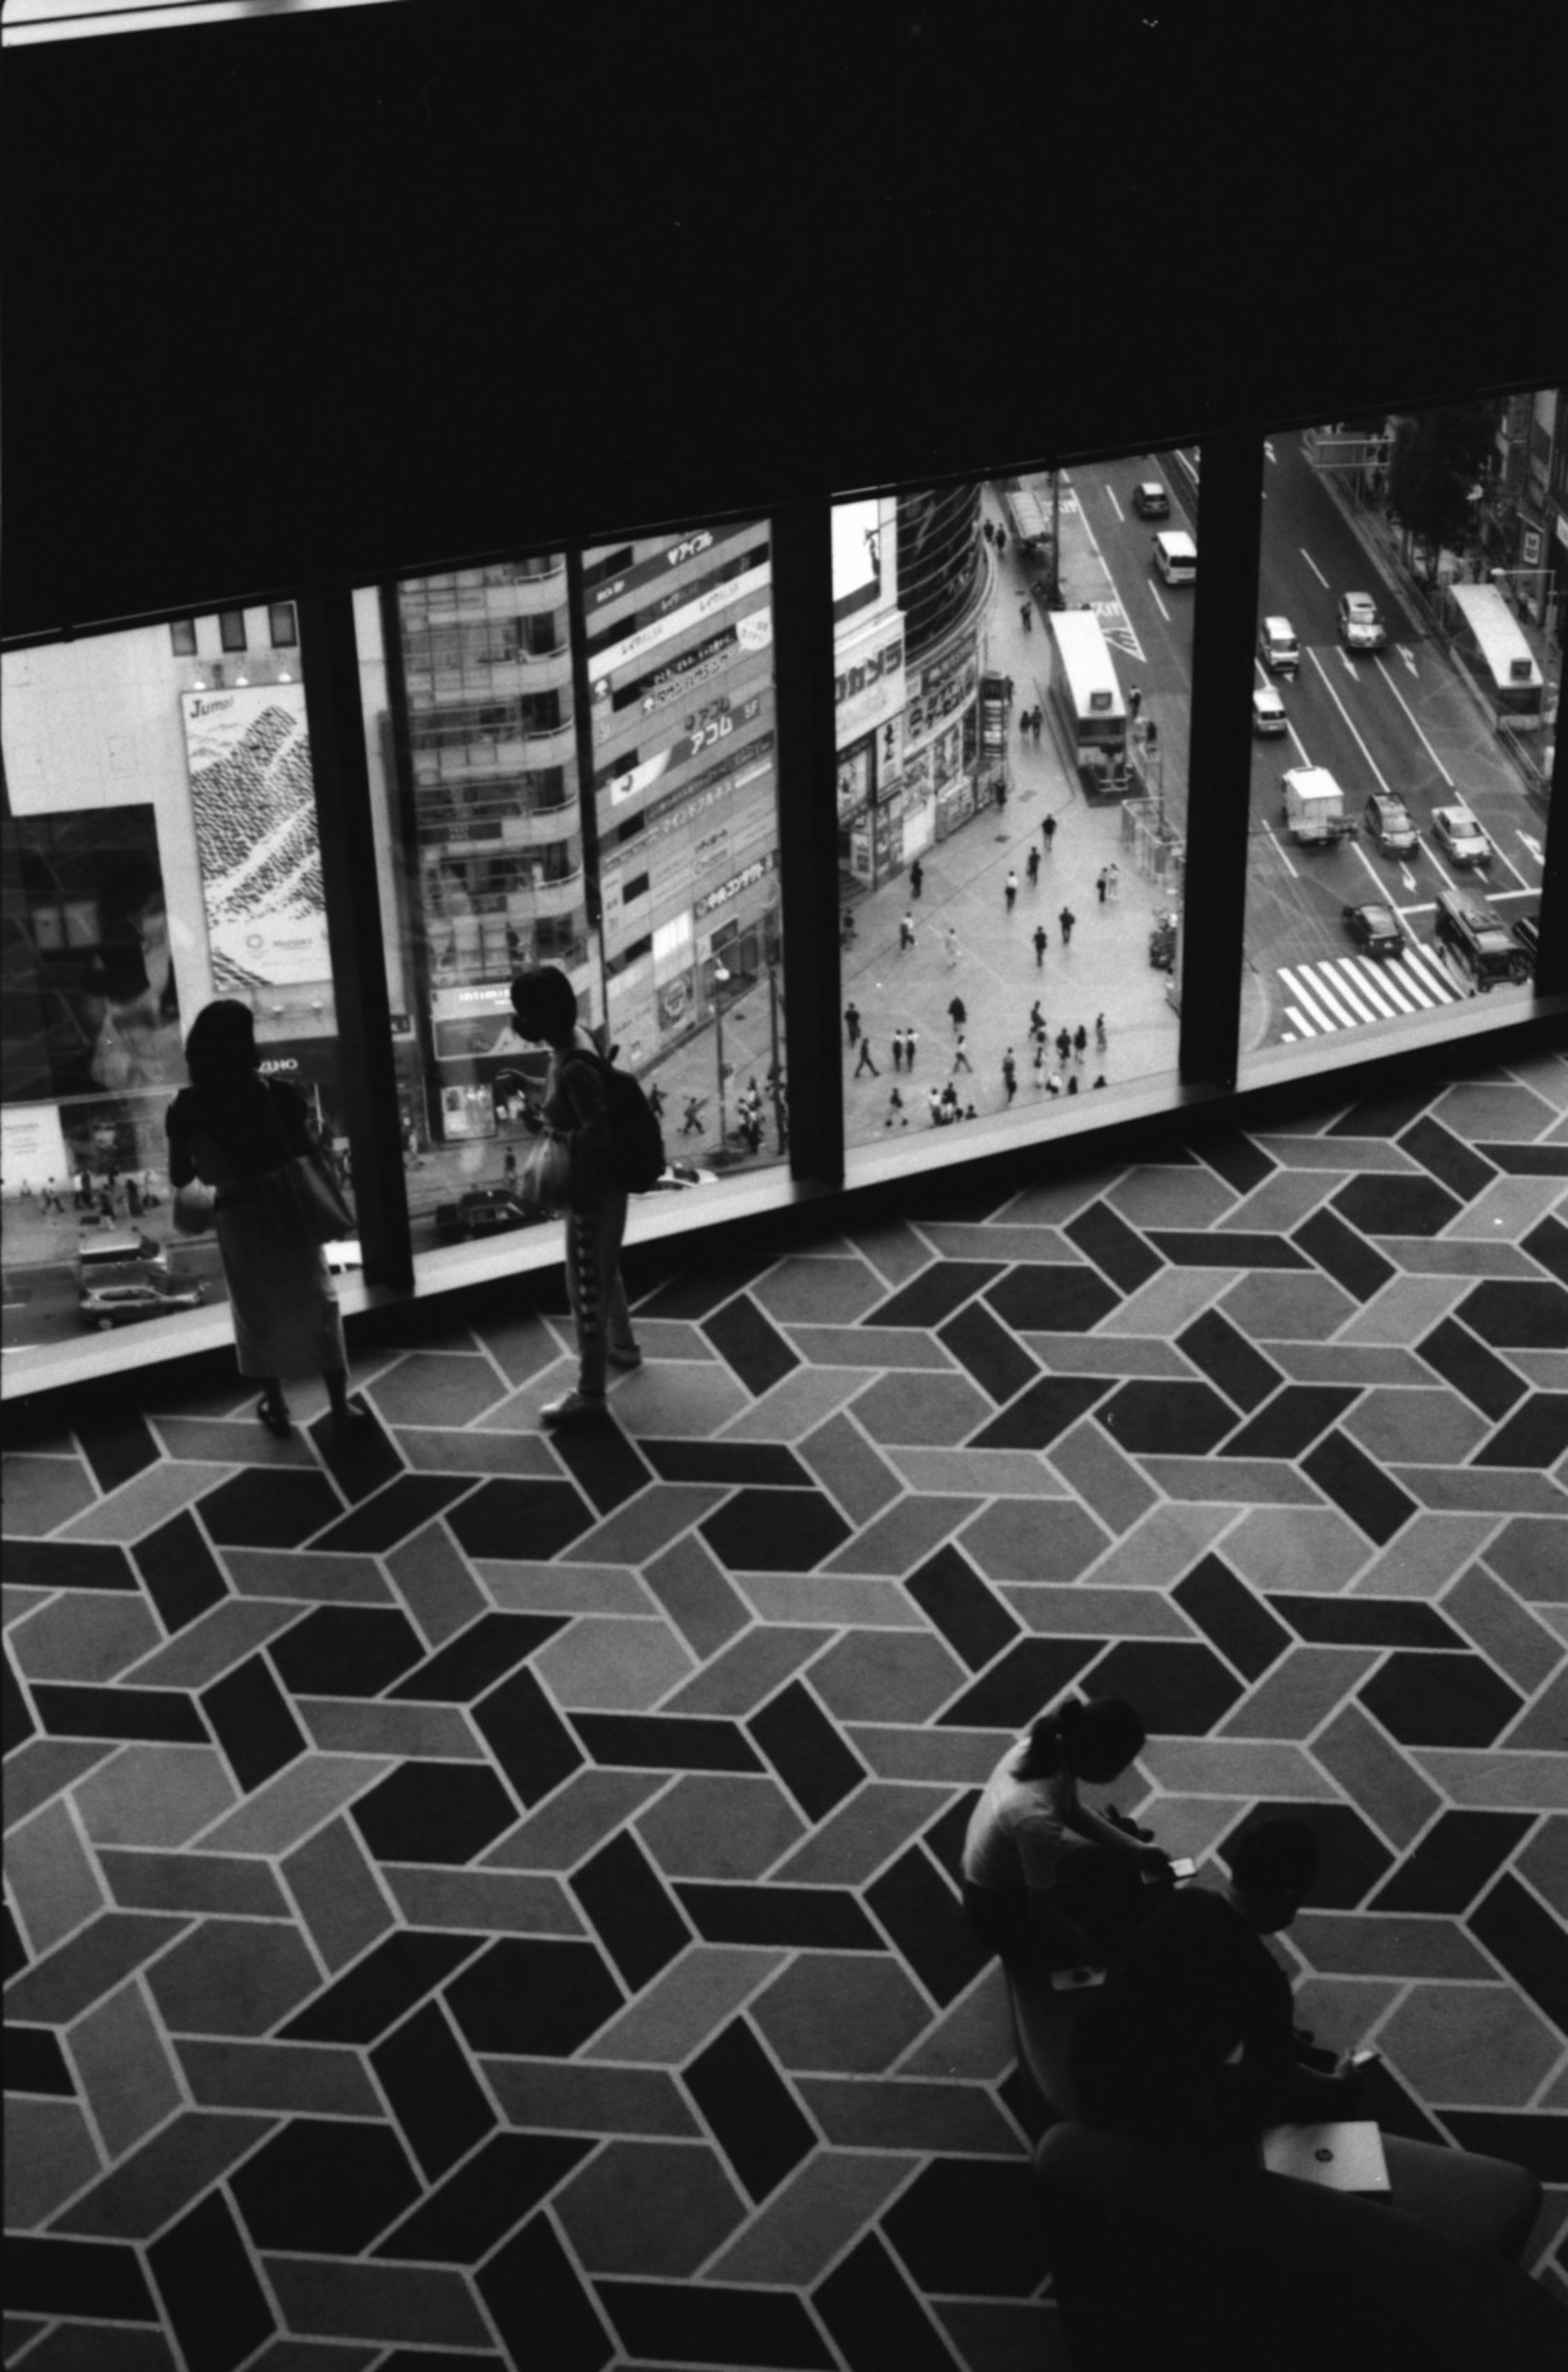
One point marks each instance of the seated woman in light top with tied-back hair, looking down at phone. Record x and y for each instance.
(1047, 1880)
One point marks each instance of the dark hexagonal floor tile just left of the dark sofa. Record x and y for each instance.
(971, 2228)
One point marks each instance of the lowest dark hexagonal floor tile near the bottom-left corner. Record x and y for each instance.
(326, 2186)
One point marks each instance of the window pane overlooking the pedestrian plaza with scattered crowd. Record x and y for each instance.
(1014, 670)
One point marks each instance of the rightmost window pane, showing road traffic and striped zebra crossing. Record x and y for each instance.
(1406, 684)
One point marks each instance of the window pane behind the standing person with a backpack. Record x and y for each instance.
(575, 765)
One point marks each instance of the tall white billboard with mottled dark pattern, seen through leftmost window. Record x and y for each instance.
(255, 810)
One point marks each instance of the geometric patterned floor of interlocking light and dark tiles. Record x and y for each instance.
(490, 1899)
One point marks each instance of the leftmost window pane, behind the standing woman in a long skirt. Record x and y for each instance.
(158, 850)
